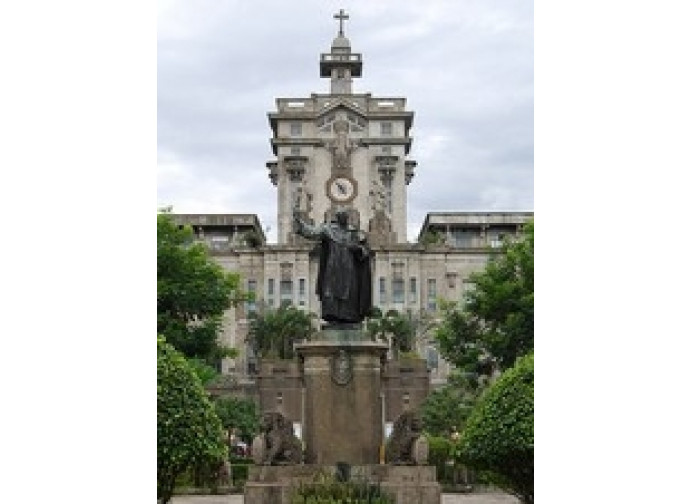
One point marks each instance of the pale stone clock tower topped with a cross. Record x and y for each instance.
(342, 150)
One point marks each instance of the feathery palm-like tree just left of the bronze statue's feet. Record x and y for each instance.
(273, 332)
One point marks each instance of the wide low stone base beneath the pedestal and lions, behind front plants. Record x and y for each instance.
(407, 484)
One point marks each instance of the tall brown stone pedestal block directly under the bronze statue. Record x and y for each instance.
(343, 412)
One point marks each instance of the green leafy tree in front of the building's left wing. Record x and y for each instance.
(193, 293)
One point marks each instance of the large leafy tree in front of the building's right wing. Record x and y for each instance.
(496, 324)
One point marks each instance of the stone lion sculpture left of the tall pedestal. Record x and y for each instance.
(277, 443)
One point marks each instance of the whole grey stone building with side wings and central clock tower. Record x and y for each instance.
(347, 150)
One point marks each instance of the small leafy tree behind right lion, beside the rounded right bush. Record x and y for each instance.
(450, 406)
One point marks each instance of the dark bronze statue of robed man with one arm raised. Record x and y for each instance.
(343, 283)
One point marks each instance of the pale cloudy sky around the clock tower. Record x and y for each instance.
(465, 67)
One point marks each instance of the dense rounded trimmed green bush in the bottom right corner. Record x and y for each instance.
(499, 434)
